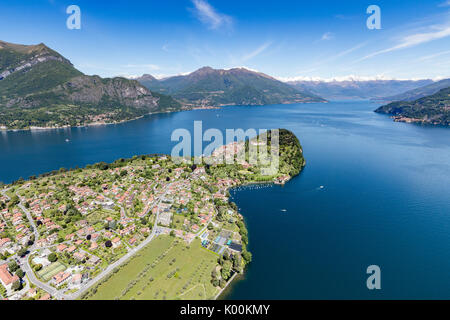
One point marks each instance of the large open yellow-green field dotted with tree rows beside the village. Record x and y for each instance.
(165, 269)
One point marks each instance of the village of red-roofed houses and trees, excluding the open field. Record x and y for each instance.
(60, 232)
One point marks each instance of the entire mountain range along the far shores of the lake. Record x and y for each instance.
(41, 88)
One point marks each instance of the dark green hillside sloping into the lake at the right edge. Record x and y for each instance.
(433, 109)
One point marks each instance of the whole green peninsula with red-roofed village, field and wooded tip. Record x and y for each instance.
(146, 228)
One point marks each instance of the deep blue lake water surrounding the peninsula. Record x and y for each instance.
(385, 198)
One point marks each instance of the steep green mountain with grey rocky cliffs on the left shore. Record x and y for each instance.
(41, 88)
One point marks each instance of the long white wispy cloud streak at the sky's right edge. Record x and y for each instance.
(413, 40)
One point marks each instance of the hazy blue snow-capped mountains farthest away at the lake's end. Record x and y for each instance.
(357, 89)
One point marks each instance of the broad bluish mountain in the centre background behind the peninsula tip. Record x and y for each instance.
(210, 87)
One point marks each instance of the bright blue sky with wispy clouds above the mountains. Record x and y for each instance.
(286, 39)
